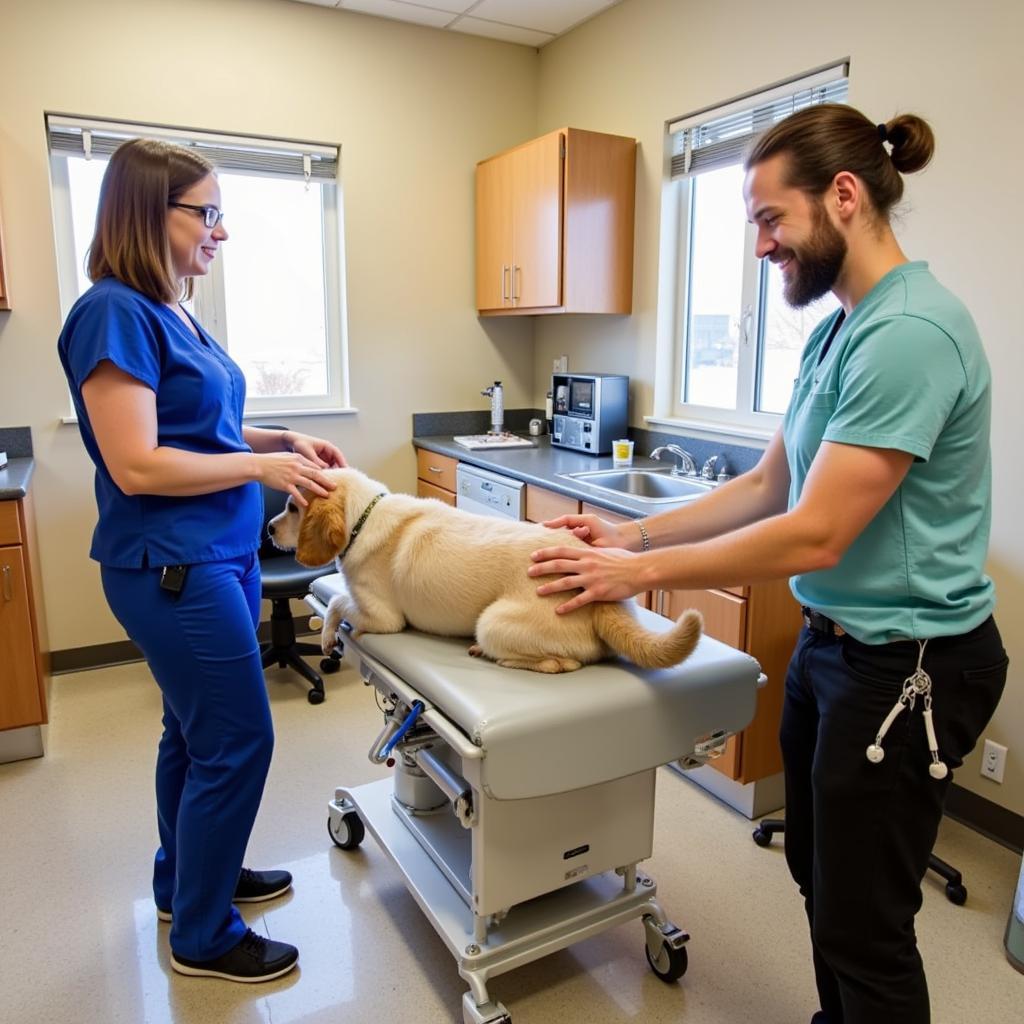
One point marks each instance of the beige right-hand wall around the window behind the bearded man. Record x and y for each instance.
(647, 61)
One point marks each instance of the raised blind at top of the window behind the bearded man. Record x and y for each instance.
(719, 137)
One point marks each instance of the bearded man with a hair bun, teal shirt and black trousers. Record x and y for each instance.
(875, 499)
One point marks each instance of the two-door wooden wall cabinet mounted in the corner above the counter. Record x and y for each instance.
(554, 226)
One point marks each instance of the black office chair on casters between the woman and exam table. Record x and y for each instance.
(284, 580)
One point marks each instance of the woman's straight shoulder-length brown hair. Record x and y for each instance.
(131, 241)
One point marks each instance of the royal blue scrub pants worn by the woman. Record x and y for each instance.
(219, 737)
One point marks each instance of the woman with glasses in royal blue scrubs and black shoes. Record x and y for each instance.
(179, 490)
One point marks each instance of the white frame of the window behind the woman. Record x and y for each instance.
(209, 295)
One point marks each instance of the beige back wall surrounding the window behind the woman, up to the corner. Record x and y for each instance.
(413, 109)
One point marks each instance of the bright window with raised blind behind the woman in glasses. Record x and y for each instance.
(275, 296)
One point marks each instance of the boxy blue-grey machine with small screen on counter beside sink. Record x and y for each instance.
(589, 411)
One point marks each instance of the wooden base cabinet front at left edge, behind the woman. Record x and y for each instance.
(24, 664)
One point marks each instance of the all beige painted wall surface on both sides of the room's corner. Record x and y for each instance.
(414, 110)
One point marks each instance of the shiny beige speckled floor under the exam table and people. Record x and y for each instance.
(80, 942)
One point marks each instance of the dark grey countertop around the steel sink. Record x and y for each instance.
(543, 464)
